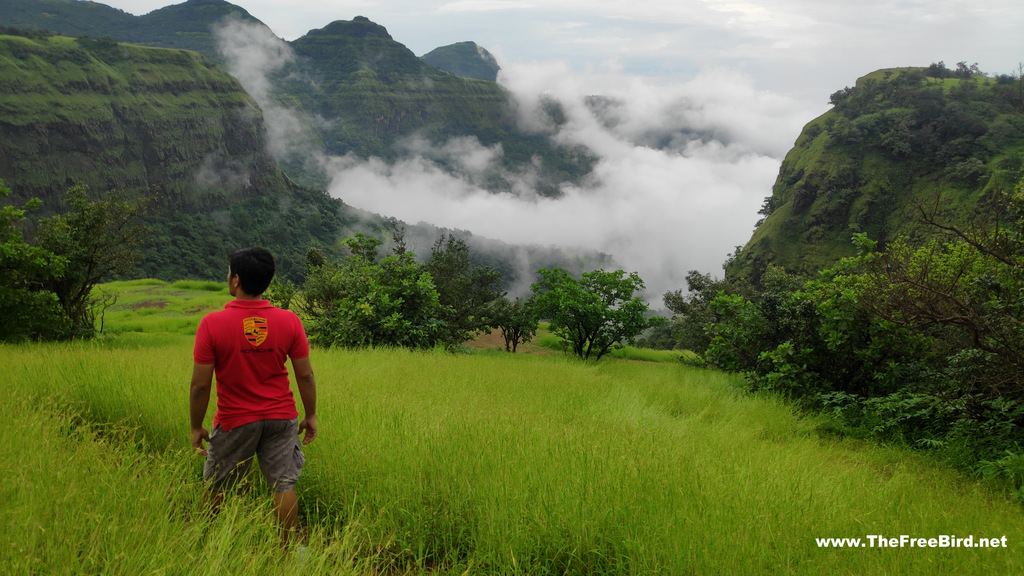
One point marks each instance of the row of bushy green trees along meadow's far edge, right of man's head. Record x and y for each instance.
(368, 300)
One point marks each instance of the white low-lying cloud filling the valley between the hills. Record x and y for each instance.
(682, 167)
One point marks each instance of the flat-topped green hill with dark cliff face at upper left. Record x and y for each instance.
(124, 116)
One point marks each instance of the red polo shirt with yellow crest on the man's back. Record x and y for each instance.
(248, 344)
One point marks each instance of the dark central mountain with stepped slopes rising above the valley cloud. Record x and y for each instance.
(372, 96)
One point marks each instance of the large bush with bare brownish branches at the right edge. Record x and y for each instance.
(965, 286)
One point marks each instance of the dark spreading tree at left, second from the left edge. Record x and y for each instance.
(97, 238)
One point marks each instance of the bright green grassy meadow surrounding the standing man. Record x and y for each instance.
(482, 463)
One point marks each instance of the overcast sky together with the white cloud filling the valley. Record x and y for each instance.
(730, 84)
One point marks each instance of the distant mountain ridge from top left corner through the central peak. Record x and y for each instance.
(360, 91)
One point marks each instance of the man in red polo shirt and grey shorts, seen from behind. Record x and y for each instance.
(246, 346)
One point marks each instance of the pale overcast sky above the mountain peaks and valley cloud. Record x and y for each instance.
(809, 48)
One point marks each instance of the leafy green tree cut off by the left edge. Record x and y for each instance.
(27, 309)
